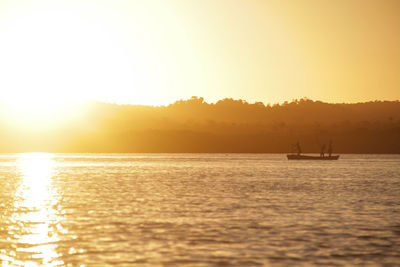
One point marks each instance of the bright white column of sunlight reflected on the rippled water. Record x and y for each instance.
(35, 222)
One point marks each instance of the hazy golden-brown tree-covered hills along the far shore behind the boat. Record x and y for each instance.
(227, 126)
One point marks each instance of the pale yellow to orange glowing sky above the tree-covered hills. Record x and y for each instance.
(154, 52)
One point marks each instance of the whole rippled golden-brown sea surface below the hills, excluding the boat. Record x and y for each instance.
(198, 210)
